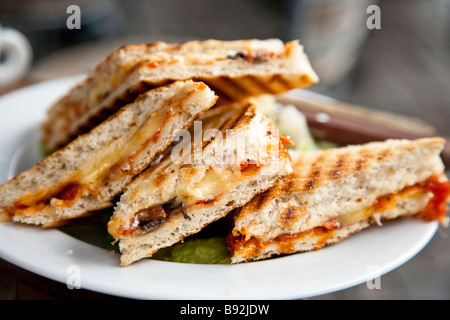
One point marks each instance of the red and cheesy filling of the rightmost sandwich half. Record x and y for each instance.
(436, 189)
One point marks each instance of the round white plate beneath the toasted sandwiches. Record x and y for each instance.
(61, 257)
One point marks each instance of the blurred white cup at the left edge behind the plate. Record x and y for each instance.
(16, 53)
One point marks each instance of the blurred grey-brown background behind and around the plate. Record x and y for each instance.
(403, 67)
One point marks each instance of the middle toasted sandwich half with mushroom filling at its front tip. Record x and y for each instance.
(239, 156)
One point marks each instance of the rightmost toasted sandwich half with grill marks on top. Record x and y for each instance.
(334, 193)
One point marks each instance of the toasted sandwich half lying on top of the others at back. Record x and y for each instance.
(233, 69)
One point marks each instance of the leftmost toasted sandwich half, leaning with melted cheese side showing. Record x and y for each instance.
(89, 172)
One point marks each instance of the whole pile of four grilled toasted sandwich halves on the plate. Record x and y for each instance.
(170, 137)
